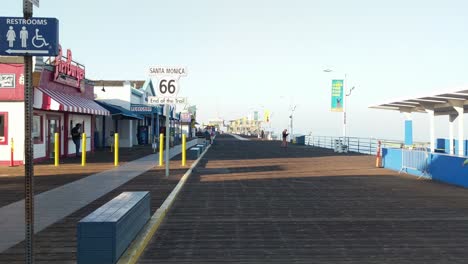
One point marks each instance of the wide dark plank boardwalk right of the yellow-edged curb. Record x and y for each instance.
(252, 202)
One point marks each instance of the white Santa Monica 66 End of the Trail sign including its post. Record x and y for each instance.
(167, 90)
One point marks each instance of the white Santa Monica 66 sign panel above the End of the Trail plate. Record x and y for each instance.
(168, 79)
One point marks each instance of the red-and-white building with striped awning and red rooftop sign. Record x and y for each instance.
(63, 97)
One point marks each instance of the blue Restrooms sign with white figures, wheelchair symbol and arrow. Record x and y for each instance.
(34, 37)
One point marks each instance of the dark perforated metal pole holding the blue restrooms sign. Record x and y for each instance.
(28, 149)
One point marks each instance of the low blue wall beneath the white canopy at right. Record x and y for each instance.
(441, 167)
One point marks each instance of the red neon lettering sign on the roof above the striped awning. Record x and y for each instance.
(65, 67)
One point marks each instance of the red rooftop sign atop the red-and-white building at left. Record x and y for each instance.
(69, 72)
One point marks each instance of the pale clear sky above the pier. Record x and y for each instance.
(248, 55)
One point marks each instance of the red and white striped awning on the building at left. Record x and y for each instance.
(48, 99)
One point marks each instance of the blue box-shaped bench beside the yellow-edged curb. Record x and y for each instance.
(106, 233)
